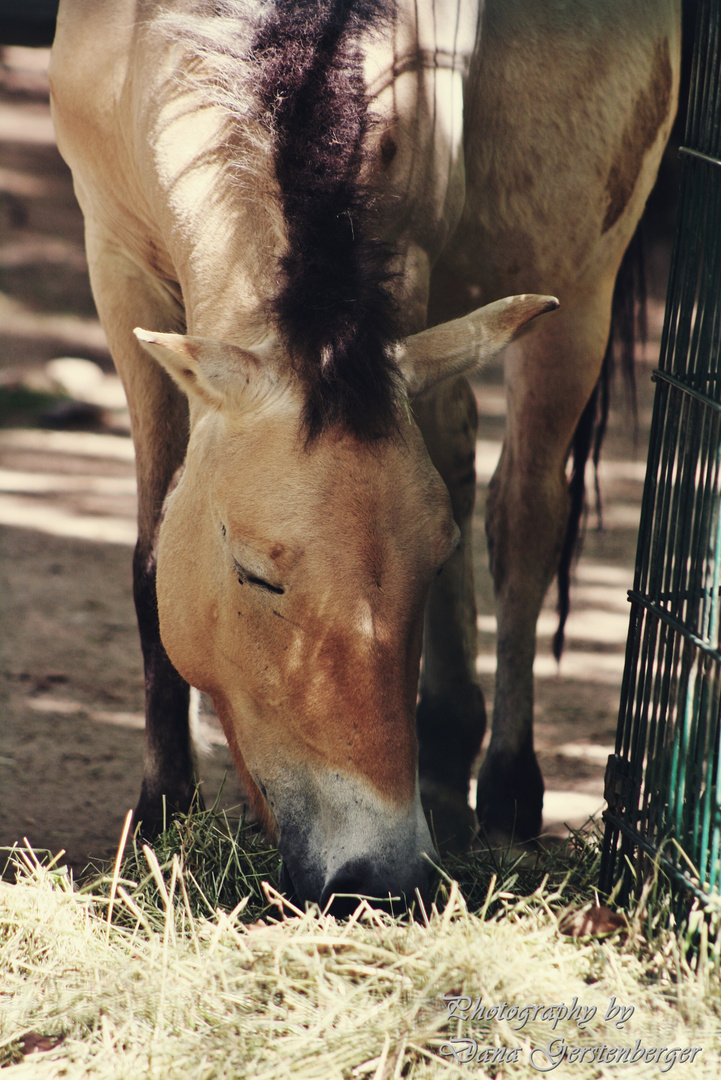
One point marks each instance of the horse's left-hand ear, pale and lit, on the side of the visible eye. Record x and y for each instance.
(216, 372)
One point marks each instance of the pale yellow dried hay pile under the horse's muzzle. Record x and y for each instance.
(179, 994)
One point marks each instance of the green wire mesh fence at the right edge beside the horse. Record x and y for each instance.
(663, 784)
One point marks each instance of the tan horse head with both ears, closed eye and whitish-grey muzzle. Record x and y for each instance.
(292, 582)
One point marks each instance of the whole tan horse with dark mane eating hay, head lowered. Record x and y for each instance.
(284, 195)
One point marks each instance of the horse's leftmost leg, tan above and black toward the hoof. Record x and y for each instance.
(129, 298)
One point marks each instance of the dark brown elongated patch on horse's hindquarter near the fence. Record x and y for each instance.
(641, 134)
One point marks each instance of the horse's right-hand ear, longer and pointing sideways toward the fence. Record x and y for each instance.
(453, 348)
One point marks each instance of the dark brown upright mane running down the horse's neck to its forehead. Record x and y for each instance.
(334, 308)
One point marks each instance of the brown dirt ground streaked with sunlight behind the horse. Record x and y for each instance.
(71, 676)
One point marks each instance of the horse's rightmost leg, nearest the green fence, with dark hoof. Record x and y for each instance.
(550, 375)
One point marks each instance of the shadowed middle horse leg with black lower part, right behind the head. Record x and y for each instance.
(452, 714)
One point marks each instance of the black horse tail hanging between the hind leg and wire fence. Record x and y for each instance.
(629, 326)
